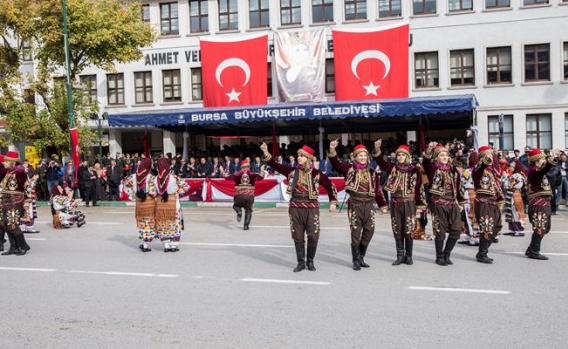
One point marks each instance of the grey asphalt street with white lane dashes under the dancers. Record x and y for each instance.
(91, 287)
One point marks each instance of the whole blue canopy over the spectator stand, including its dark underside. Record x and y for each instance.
(445, 112)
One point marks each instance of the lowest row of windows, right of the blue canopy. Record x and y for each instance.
(538, 134)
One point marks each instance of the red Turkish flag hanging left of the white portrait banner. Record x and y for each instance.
(234, 72)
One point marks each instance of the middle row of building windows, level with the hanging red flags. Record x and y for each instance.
(498, 70)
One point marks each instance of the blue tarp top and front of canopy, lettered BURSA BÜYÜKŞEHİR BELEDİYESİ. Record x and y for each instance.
(416, 106)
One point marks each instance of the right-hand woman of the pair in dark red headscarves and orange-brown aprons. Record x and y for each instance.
(167, 188)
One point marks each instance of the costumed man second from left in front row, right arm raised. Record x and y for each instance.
(360, 184)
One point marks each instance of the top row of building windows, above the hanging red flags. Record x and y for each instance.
(291, 12)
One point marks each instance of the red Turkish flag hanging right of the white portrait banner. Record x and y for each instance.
(371, 64)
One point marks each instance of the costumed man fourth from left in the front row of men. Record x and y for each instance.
(446, 200)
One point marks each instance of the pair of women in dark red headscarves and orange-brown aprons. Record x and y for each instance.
(158, 208)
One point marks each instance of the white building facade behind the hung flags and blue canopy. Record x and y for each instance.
(511, 54)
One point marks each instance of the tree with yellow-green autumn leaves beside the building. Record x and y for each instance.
(101, 34)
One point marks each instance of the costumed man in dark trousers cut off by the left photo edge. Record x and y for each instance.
(13, 179)
